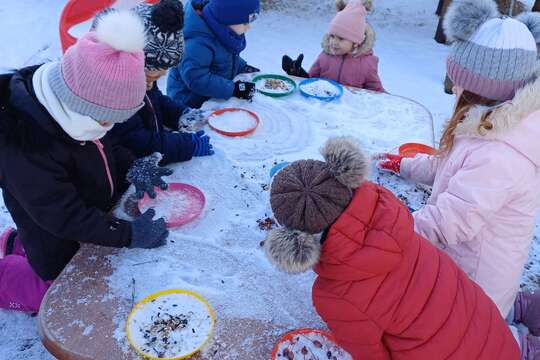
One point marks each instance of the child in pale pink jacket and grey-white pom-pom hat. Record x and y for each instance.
(486, 176)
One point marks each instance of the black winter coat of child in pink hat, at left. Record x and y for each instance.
(57, 189)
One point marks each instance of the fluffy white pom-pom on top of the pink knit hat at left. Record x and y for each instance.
(122, 30)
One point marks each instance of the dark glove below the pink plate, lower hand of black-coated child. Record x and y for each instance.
(147, 233)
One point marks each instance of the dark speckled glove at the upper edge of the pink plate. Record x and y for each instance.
(145, 174)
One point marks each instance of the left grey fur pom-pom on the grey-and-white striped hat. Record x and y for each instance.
(464, 17)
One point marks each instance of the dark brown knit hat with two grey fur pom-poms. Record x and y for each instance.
(307, 197)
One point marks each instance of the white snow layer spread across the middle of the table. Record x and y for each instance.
(219, 255)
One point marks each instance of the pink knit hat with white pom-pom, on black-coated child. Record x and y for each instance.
(102, 75)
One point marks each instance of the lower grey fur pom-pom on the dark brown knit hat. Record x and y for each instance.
(292, 251)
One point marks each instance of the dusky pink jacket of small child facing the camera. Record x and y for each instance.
(360, 70)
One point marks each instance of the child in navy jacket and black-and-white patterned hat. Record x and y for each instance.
(154, 127)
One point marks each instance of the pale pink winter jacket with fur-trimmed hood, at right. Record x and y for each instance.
(486, 195)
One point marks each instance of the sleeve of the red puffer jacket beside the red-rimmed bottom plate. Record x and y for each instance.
(353, 329)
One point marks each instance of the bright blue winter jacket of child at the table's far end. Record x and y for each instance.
(207, 69)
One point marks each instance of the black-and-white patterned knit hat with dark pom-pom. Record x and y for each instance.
(163, 24)
